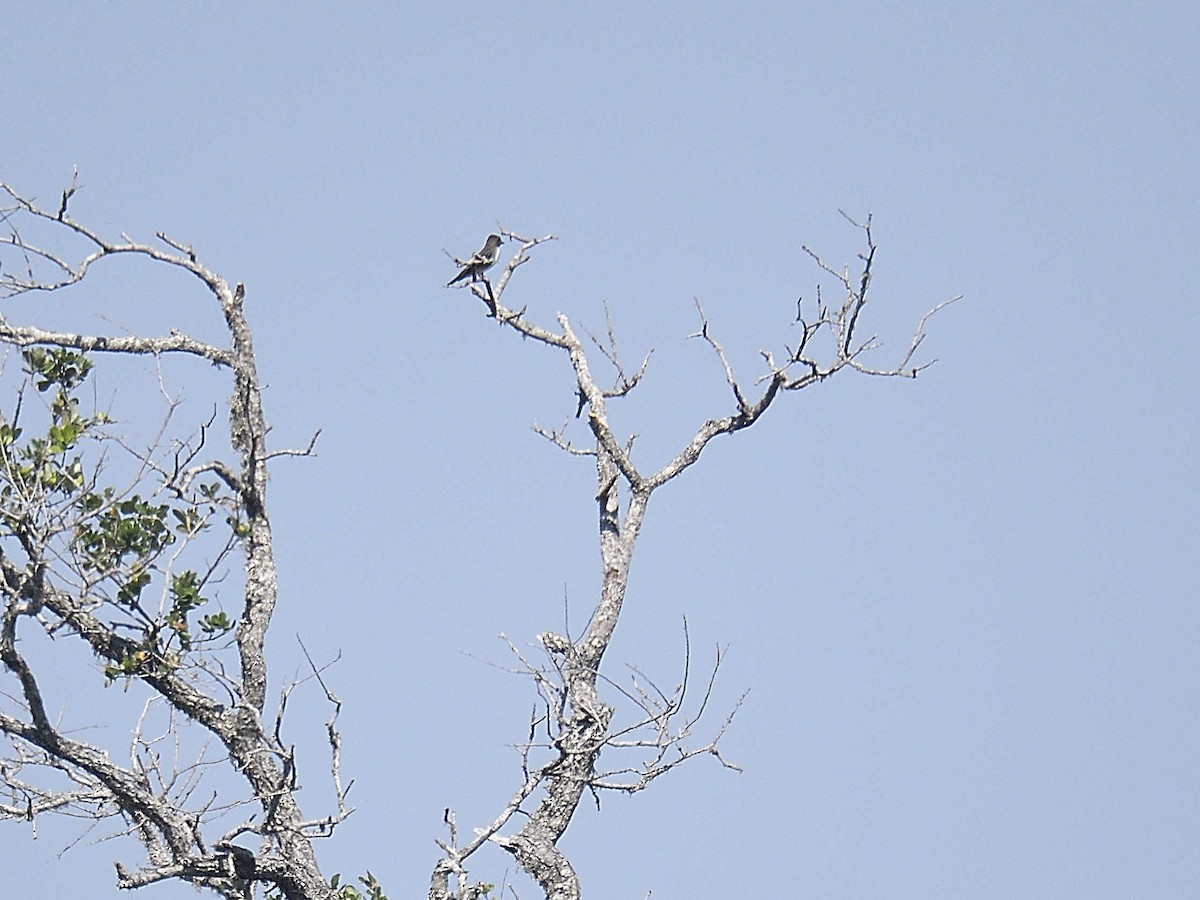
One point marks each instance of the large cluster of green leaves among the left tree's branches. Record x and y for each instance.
(116, 542)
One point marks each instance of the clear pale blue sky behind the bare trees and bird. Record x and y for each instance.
(965, 607)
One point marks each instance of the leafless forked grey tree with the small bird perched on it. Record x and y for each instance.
(575, 722)
